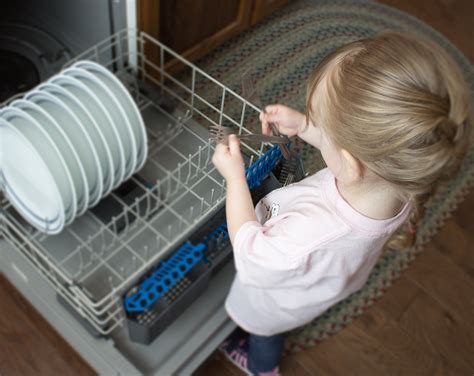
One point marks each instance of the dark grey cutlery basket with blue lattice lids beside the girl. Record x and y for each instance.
(179, 280)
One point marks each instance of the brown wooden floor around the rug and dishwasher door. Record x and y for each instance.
(423, 325)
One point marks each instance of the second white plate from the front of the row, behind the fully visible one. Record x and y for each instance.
(66, 149)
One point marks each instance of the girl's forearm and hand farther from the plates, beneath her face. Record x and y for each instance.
(291, 123)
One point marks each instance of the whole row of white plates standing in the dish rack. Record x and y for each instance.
(68, 143)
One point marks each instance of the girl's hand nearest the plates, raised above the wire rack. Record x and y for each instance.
(228, 160)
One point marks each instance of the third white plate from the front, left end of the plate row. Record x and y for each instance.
(79, 139)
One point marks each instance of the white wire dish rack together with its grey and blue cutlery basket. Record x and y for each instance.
(103, 263)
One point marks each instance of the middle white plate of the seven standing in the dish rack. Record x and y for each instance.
(90, 133)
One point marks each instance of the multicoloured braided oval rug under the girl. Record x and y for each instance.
(281, 52)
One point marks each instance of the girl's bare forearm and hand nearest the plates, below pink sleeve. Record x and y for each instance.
(239, 206)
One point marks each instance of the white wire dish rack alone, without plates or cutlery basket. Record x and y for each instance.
(96, 259)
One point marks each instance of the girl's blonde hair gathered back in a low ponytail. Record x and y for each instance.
(399, 105)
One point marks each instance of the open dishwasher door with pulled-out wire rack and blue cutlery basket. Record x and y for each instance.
(137, 284)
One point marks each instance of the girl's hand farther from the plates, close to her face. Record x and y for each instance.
(287, 120)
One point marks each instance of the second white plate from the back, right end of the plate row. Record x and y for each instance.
(116, 113)
